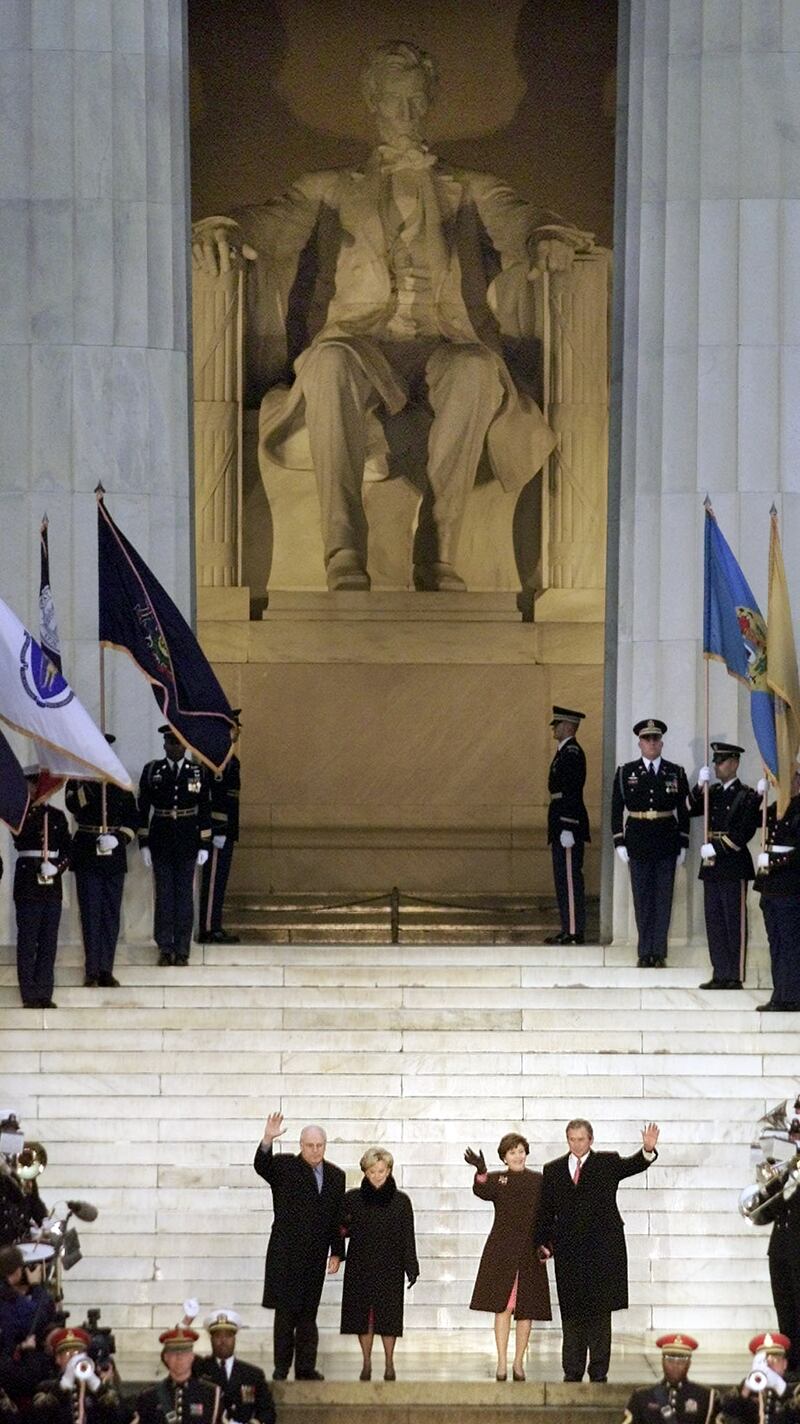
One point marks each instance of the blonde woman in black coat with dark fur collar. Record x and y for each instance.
(379, 1220)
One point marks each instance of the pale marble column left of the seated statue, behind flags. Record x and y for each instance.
(93, 317)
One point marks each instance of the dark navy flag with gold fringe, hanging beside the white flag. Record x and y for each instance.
(139, 617)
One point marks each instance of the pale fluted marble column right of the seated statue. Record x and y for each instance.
(708, 324)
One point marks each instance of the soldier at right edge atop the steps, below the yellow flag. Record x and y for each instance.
(778, 884)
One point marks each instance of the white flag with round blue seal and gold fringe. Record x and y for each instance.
(38, 701)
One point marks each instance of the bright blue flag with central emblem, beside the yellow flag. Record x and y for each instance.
(735, 632)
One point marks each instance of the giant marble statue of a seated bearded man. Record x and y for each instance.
(401, 261)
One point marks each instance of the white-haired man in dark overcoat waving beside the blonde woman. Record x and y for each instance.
(308, 1197)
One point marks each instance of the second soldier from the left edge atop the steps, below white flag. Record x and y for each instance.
(106, 824)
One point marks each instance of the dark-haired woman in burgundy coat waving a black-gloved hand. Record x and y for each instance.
(512, 1281)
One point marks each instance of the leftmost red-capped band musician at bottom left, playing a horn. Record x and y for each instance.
(79, 1393)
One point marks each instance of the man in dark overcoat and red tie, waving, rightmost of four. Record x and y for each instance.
(580, 1225)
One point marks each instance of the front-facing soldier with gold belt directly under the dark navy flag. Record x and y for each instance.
(174, 837)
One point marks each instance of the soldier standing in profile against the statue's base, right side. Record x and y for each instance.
(569, 827)
